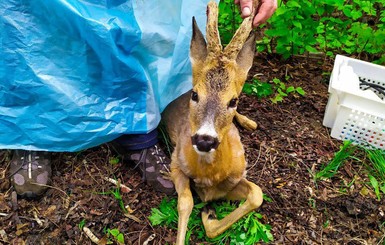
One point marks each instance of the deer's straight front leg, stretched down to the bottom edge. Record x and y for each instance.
(185, 203)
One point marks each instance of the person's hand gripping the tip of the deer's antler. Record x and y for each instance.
(265, 10)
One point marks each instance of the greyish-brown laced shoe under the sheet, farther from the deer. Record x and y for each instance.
(30, 172)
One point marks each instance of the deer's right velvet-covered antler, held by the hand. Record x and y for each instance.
(232, 49)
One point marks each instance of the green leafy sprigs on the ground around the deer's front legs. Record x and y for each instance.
(248, 230)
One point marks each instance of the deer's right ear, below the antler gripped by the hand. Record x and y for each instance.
(245, 56)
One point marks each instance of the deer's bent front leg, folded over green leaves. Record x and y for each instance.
(245, 189)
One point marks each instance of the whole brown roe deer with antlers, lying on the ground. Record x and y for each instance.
(208, 154)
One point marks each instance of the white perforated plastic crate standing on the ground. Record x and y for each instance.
(356, 112)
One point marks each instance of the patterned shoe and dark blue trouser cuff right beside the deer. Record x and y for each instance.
(145, 152)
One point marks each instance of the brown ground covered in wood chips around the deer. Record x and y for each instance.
(288, 147)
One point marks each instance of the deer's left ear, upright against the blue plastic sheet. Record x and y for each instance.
(198, 47)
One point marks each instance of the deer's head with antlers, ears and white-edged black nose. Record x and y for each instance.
(218, 77)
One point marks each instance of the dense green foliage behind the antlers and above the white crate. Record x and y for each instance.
(328, 27)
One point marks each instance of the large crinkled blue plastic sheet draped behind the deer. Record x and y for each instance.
(78, 73)
